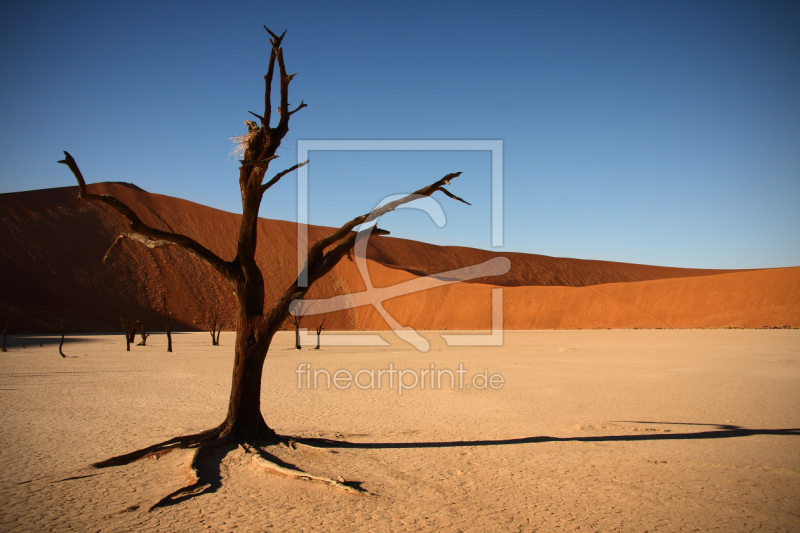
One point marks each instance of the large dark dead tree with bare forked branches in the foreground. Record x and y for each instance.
(256, 320)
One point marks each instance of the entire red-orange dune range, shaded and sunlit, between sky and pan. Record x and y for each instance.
(52, 246)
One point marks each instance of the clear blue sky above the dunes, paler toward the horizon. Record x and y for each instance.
(660, 133)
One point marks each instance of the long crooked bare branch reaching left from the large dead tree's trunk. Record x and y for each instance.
(141, 232)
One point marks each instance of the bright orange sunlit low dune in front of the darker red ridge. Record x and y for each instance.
(751, 299)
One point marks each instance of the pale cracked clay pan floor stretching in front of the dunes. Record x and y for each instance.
(60, 415)
